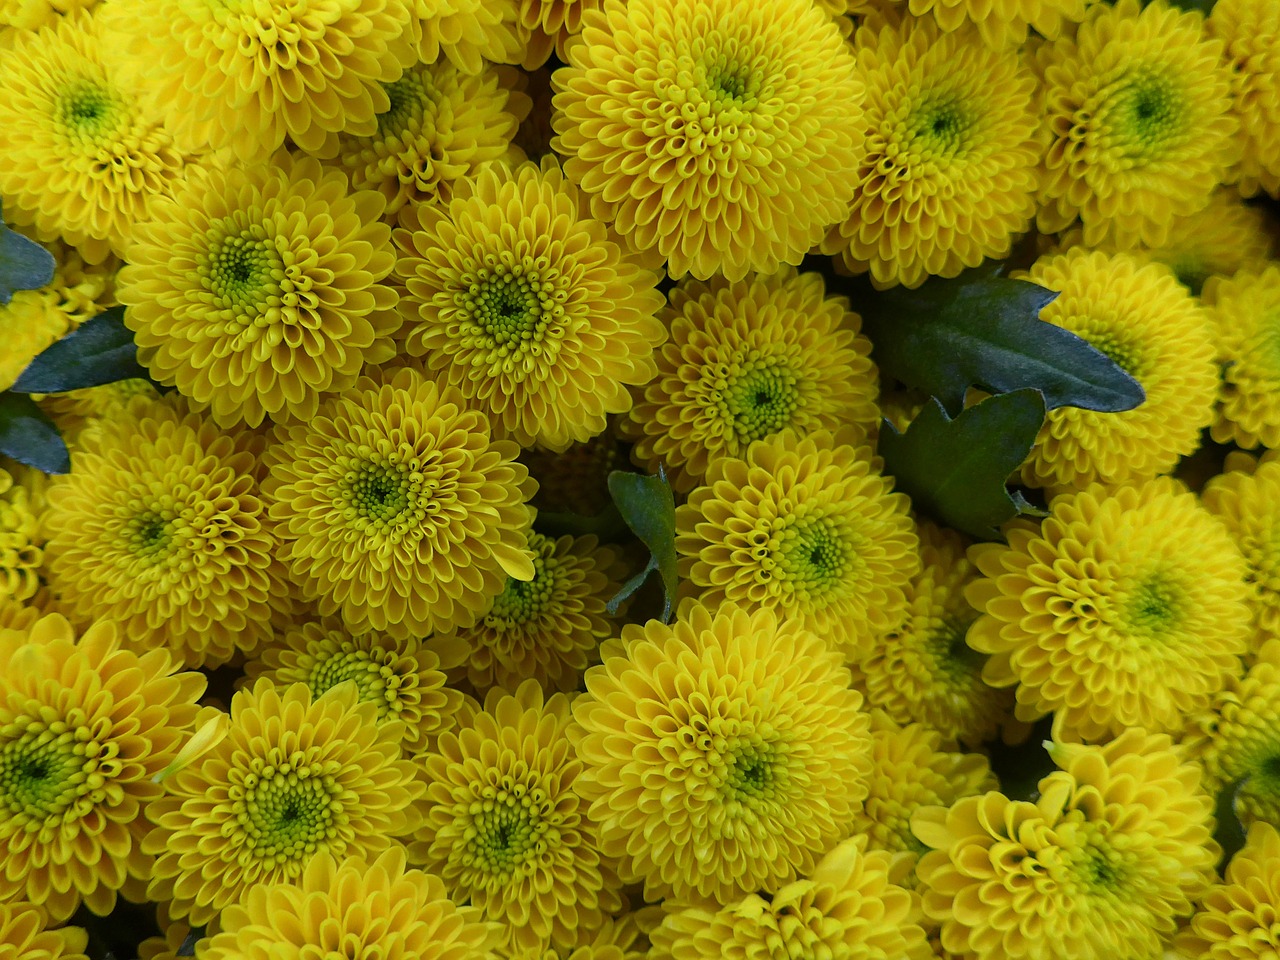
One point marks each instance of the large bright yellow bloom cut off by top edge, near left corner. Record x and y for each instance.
(246, 76)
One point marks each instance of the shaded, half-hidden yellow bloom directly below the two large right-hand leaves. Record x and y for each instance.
(924, 671)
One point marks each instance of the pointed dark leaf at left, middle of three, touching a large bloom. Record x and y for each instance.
(99, 351)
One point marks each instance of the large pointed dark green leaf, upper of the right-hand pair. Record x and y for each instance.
(985, 331)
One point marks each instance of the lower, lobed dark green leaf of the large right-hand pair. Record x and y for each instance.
(956, 470)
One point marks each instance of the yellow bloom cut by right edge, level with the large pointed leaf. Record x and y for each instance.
(1245, 309)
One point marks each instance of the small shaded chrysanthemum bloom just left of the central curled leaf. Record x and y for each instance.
(550, 628)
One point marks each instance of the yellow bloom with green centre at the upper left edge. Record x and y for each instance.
(85, 161)
